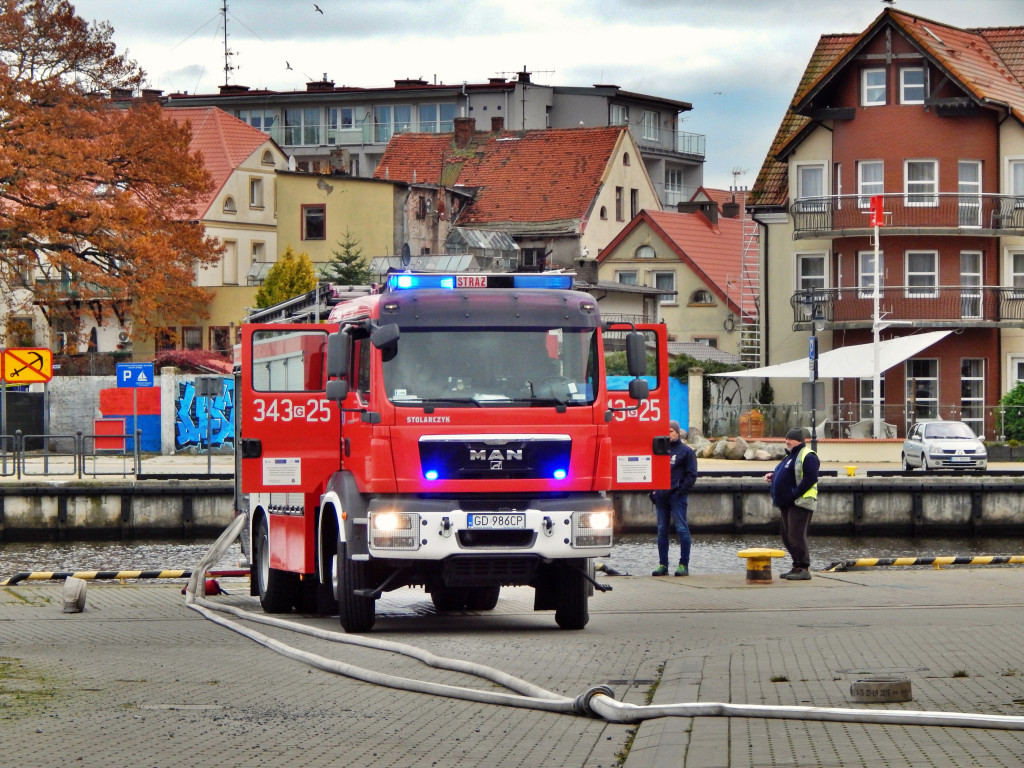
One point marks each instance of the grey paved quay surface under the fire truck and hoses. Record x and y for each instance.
(140, 679)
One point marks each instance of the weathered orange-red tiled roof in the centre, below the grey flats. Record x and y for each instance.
(528, 177)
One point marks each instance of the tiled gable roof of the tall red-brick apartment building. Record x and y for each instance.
(988, 64)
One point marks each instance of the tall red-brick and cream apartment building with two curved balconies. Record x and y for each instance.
(926, 120)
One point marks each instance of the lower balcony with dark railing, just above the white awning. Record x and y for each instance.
(932, 307)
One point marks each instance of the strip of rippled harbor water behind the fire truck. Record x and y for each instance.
(635, 554)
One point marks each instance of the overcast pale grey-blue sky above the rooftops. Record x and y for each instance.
(738, 62)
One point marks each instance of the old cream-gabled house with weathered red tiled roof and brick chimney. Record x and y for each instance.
(560, 194)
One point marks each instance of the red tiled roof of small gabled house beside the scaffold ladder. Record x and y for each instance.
(713, 252)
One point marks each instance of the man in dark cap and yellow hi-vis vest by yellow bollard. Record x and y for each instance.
(795, 492)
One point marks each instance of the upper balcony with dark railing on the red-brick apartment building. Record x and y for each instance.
(919, 214)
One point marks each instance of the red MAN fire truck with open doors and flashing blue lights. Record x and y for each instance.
(454, 433)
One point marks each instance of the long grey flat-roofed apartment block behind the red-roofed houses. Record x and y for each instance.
(346, 129)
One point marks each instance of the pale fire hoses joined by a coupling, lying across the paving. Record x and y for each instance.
(596, 703)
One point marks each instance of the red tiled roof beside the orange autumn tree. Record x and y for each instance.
(226, 143)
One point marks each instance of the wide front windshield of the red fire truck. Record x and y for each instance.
(535, 367)
